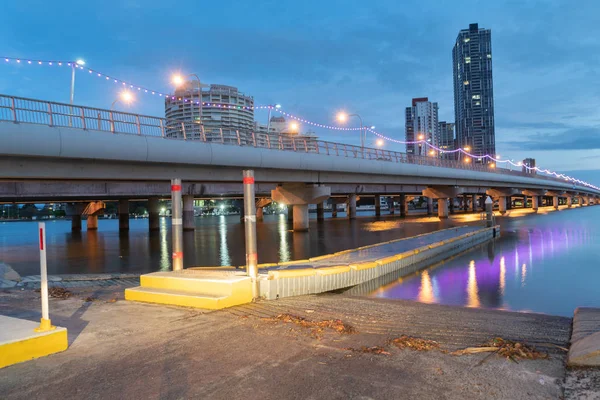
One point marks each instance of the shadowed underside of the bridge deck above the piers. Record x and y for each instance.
(53, 179)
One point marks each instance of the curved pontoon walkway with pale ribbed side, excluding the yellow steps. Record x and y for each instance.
(328, 273)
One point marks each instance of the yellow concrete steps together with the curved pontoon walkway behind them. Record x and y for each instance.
(216, 288)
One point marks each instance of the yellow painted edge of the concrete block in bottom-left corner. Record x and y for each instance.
(33, 347)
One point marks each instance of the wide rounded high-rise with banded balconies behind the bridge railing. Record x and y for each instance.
(226, 112)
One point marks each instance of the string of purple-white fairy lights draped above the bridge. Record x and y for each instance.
(80, 65)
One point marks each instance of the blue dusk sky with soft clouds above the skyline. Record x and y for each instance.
(318, 57)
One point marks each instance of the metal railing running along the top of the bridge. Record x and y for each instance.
(23, 110)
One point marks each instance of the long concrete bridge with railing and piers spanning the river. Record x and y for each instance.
(61, 152)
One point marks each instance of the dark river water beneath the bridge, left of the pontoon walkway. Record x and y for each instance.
(216, 241)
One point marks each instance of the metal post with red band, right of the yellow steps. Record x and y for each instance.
(250, 227)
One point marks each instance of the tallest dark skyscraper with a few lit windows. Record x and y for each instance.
(474, 92)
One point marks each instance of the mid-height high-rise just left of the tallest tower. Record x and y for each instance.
(421, 124)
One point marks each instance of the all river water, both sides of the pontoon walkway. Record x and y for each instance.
(545, 263)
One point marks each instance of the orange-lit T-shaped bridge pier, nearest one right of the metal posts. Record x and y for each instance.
(300, 196)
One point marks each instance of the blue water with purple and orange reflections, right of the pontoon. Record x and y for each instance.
(561, 248)
